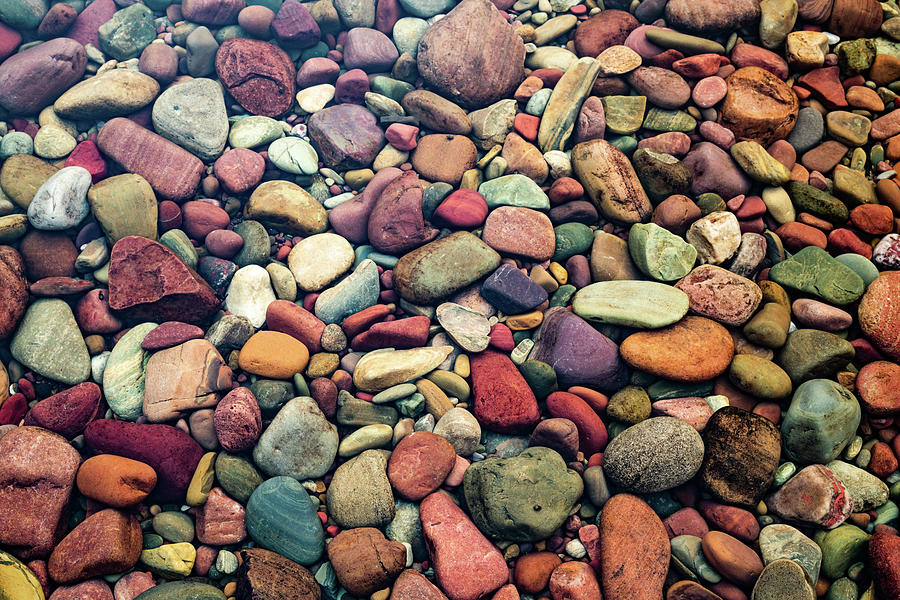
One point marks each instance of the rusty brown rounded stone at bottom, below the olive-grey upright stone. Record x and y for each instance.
(364, 560)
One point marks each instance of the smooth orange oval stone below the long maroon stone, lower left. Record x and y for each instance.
(115, 480)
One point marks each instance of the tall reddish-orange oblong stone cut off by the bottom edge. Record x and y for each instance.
(634, 553)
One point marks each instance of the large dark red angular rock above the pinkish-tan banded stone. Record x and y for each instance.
(148, 281)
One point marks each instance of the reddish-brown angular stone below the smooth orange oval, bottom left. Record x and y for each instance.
(106, 542)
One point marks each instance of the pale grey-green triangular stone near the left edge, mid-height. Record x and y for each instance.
(49, 343)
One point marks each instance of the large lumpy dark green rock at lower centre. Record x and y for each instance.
(521, 498)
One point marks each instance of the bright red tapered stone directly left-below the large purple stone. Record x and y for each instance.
(503, 401)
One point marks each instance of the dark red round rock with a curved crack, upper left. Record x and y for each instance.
(258, 74)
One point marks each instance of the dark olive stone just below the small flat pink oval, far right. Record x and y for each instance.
(811, 353)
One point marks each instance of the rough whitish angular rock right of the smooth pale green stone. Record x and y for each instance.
(659, 253)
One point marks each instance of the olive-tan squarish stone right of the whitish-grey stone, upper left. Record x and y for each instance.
(124, 205)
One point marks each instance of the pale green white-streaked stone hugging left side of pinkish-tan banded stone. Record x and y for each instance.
(123, 377)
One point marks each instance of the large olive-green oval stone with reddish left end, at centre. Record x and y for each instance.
(440, 268)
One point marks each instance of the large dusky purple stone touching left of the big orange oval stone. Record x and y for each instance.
(578, 353)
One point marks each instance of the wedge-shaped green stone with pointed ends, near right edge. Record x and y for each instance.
(813, 271)
